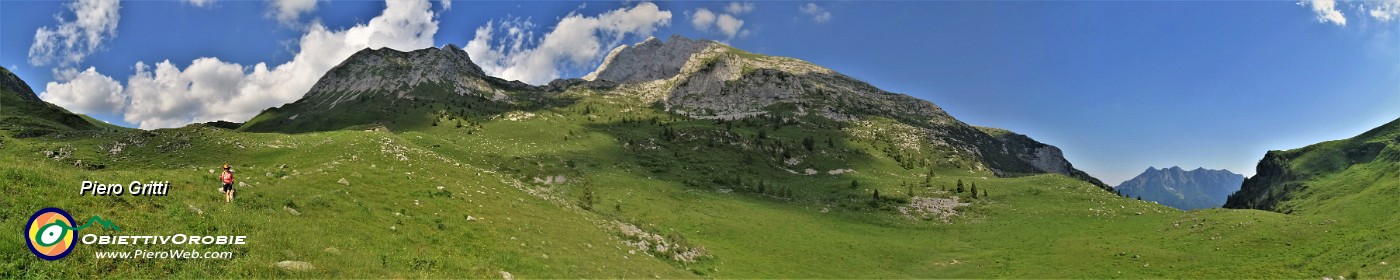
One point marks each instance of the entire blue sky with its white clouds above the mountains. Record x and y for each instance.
(1119, 86)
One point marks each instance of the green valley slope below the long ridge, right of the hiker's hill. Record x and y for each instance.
(1031, 227)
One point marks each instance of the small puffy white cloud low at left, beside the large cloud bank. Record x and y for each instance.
(86, 93)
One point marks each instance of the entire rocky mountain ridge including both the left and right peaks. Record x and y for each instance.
(694, 79)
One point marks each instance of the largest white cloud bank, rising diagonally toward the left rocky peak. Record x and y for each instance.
(163, 96)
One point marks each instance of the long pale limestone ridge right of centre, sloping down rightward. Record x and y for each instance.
(710, 80)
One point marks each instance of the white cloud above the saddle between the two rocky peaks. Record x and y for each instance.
(576, 43)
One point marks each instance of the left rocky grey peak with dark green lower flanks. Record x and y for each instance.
(383, 86)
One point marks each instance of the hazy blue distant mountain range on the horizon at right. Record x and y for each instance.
(1184, 190)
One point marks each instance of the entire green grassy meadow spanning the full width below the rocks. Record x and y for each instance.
(1046, 226)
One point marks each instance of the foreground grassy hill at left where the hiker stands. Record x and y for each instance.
(430, 234)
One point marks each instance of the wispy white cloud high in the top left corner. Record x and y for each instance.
(73, 41)
